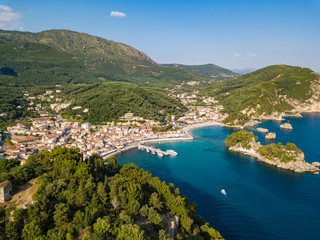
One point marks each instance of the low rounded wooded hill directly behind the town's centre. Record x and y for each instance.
(109, 101)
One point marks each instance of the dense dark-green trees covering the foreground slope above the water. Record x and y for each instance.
(87, 199)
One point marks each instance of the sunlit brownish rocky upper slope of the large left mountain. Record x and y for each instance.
(98, 52)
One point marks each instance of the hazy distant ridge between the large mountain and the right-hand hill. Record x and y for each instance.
(209, 70)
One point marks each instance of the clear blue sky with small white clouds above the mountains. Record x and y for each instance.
(232, 34)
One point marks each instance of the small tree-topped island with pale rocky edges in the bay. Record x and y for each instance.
(287, 157)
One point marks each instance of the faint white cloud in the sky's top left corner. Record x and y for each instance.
(9, 19)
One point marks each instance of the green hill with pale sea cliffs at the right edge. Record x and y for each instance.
(268, 92)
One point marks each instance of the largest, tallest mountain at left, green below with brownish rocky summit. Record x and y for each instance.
(63, 57)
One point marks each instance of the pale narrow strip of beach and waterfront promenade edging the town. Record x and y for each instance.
(188, 136)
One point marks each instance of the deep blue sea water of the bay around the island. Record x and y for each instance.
(262, 202)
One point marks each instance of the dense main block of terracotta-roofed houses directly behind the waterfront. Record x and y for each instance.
(46, 133)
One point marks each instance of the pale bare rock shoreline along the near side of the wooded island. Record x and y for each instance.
(299, 166)
